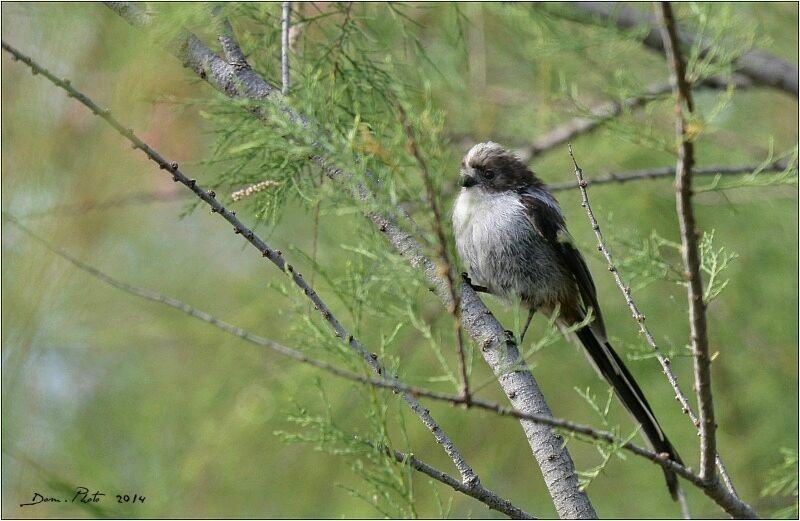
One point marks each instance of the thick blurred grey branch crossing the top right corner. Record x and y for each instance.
(764, 69)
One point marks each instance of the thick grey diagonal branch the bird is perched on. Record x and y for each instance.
(552, 456)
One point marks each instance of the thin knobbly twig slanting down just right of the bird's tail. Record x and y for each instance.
(726, 498)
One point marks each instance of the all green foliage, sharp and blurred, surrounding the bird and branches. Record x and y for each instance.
(120, 395)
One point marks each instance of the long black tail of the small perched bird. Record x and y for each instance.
(614, 371)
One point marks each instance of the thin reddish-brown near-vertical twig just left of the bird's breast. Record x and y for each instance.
(444, 256)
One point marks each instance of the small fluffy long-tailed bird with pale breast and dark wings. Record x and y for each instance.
(511, 236)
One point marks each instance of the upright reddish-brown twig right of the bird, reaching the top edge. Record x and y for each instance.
(689, 249)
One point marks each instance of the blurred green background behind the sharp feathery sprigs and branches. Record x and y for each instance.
(103, 390)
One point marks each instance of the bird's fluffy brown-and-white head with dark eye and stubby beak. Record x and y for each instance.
(495, 169)
